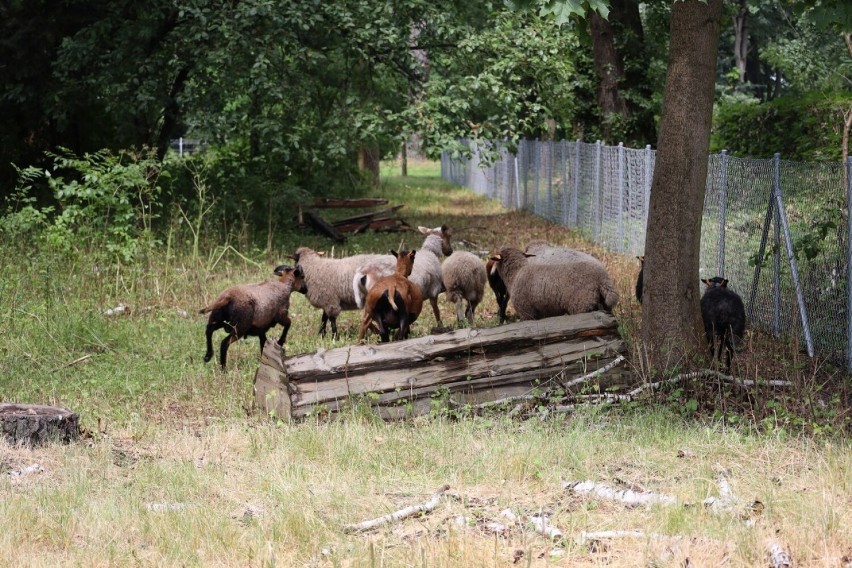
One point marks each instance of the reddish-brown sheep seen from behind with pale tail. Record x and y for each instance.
(393, 302)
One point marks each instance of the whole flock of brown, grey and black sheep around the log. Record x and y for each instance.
(541, 281)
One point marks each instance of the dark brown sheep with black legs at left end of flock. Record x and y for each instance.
(252, 309)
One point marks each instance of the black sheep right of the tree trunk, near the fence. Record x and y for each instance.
(723, 313)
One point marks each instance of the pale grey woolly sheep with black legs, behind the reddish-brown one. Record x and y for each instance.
(329, 282)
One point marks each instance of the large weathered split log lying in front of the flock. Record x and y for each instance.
(459, 368)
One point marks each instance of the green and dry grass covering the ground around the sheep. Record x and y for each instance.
(177, 470)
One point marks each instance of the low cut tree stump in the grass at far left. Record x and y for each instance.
(35, 424)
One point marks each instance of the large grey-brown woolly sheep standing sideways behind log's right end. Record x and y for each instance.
(545, 290)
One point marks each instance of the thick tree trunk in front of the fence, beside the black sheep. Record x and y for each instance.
(670, 307)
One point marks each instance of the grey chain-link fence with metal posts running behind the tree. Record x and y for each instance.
(778, 230)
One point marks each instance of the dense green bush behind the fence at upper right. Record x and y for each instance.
(806, 129)
